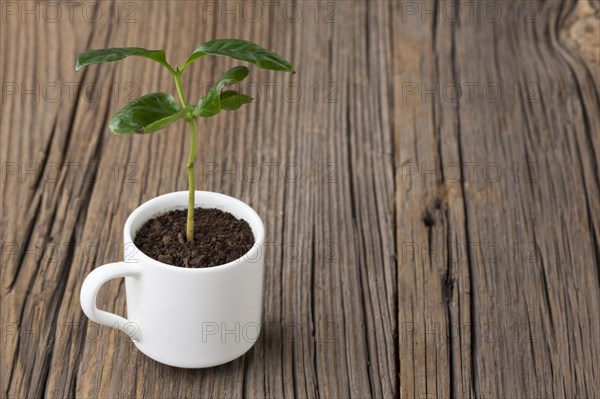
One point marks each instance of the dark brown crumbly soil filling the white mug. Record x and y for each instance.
(219, 238)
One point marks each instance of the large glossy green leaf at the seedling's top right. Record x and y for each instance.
(241, 50)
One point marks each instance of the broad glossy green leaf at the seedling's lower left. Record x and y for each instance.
(147, 114)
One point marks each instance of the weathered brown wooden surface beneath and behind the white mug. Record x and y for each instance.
(434, 245)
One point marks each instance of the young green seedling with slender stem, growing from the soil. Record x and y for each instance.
(155, 111)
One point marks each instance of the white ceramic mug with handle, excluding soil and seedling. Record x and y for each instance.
(179, 316)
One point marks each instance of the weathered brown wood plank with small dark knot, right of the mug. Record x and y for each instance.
(518, 305)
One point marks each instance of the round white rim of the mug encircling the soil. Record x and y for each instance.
(256, 224)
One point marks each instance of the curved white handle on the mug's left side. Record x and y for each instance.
(89, 291)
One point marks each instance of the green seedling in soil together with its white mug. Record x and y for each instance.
(193, 264)
